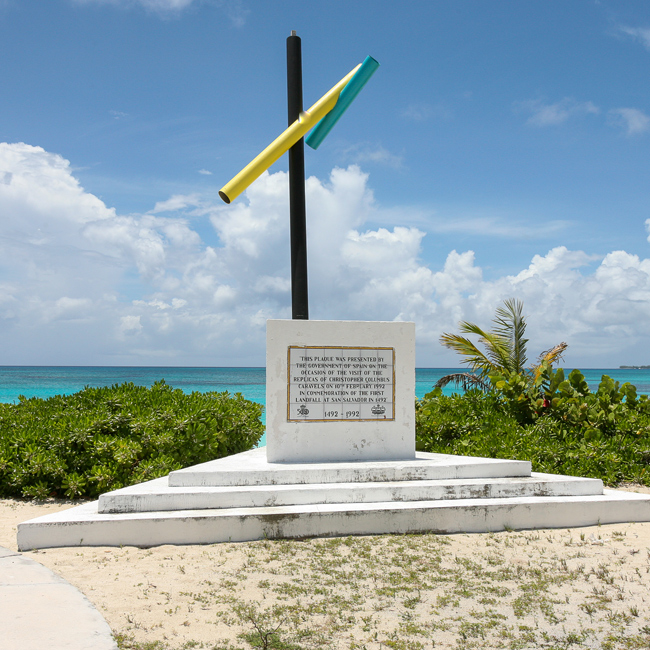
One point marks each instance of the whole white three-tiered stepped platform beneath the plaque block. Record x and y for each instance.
(243, 497)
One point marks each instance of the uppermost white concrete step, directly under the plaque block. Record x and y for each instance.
(252, 468)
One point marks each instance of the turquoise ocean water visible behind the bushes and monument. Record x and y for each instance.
(46, 381)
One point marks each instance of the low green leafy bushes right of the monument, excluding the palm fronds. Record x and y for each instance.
(560, 426)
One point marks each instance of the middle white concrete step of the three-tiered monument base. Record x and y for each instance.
(157, 495)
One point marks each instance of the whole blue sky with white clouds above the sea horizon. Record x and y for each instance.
(501, 150)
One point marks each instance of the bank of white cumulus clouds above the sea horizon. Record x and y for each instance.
(80, 283)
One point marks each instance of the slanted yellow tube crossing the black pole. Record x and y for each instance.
(308, 119)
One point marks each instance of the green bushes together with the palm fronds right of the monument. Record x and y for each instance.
(535, 414)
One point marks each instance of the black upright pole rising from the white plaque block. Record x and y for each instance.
(297, 210)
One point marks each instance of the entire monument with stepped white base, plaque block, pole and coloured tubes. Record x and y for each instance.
(340, 456)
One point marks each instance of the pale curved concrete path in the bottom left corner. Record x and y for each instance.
(41, 611)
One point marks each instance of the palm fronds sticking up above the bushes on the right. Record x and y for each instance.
(505, 347)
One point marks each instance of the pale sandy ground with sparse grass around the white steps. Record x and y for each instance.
(583, 588)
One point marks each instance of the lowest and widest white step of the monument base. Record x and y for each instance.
(84, 525)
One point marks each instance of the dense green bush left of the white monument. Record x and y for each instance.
(101, 439)
